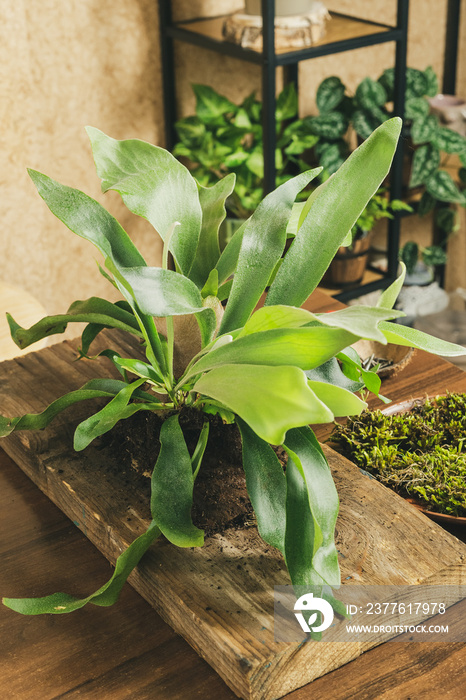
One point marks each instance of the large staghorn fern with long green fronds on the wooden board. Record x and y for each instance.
(273, 371)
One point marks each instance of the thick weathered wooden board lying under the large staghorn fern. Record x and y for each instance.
(220, 597)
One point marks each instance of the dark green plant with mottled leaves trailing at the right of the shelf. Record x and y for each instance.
(433, 144)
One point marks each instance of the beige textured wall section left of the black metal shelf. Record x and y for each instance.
(63, 66)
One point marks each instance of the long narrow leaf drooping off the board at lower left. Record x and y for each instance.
(59, 603)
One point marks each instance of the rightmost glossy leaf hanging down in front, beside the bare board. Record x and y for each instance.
(318, 553)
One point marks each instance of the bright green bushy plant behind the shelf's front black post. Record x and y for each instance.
(223, 138)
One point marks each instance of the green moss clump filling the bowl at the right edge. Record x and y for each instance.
(418, 453)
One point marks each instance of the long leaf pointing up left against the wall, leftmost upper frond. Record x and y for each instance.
(88, 219)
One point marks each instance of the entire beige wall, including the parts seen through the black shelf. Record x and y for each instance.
(67, 64)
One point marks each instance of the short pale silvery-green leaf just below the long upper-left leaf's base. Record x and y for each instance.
(160, 292)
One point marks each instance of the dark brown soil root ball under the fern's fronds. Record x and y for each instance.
(221, 500)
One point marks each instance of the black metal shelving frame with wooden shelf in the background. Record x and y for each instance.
(353, 33)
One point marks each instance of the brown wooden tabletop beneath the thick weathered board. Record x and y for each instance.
(127, 651)
